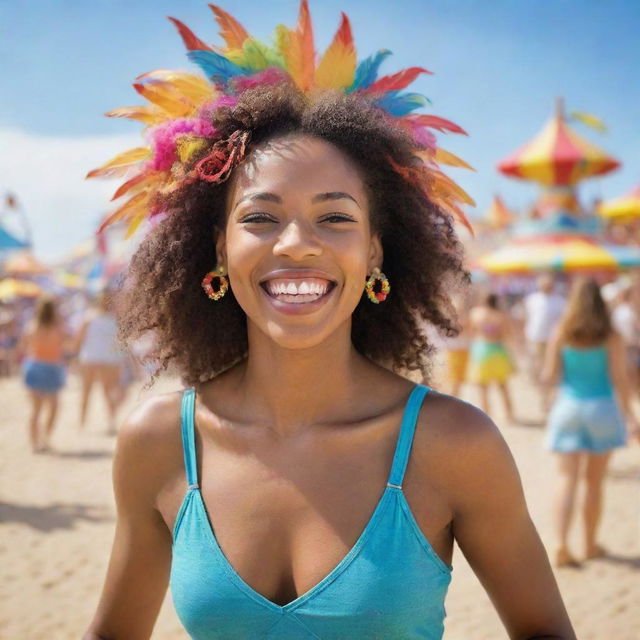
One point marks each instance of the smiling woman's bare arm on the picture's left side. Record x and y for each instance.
(138, 572)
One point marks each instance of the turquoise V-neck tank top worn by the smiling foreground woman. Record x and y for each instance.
(391, 583)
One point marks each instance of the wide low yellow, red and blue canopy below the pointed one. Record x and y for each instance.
(560, 253)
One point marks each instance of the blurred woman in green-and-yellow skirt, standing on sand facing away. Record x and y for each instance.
(489, 360)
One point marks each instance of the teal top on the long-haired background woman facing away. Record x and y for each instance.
(586, 372)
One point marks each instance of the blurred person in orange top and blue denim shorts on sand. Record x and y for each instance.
(42, 348)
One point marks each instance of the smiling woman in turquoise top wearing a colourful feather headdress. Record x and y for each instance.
(298, 488)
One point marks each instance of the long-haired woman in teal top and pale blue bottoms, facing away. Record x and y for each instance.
(587, 420)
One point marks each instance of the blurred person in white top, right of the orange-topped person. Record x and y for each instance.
(100, 359)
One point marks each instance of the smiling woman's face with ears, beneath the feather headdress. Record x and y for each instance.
(298, 244)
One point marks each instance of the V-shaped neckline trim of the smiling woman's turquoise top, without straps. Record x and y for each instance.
(312, 591)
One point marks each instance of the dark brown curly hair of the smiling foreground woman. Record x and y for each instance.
(423, 257)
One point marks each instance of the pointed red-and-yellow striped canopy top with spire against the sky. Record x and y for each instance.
(557, 156)
